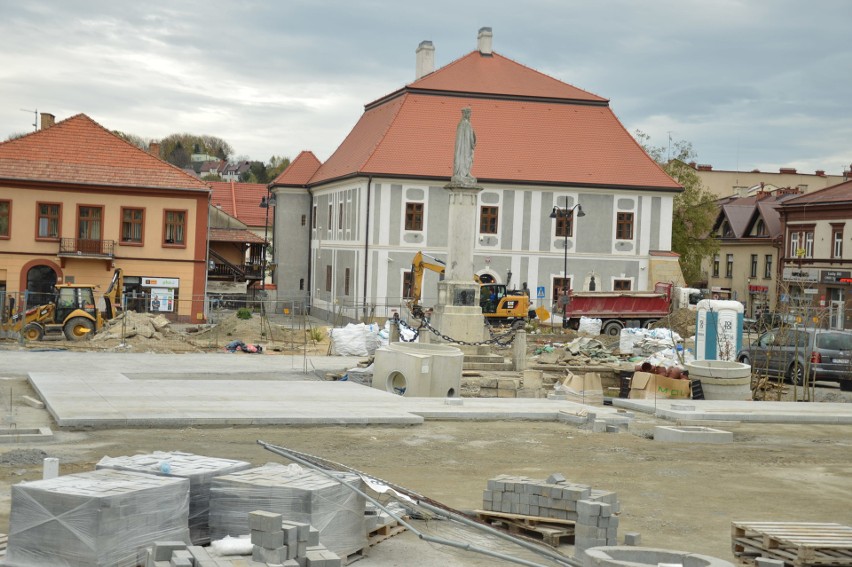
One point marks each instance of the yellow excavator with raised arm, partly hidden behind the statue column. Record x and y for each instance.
(498, 303)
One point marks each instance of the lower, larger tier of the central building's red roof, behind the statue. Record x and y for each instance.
(517, 140)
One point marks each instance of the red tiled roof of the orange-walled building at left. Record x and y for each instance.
(79, 150)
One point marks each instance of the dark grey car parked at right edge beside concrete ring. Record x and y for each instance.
(790, 351)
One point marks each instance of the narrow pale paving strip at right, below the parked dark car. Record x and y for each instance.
(733, 410)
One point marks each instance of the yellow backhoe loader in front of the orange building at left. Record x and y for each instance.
(72, 312)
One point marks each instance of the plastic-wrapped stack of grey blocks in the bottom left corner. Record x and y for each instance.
(94, 519)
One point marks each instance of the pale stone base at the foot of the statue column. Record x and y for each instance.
(458, 314)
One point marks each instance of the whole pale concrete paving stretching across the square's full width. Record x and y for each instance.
(104, 390)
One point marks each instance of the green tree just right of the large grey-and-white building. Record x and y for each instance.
(694, 209)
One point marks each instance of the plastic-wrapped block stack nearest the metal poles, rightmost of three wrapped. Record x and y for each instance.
(299, 495)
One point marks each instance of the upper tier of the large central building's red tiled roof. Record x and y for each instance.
(497, 75)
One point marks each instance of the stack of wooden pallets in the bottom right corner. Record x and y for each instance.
(800, 544)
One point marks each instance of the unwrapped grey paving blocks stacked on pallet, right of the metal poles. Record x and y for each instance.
(554, 497)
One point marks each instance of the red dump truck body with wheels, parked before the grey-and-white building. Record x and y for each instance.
(619, 309)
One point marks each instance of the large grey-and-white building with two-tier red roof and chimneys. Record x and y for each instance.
(353, 223)
